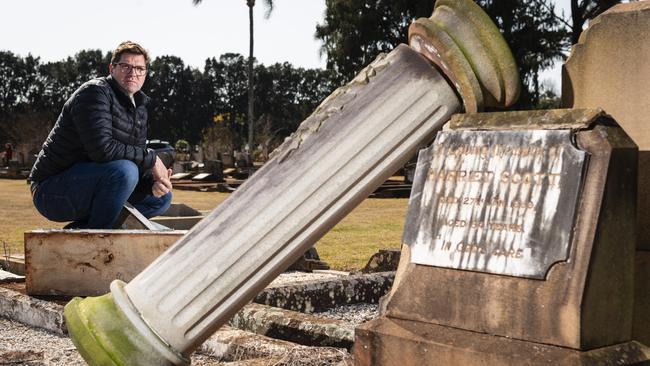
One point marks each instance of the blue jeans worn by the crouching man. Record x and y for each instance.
(92, 194)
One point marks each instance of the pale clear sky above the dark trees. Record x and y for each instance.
(54, 30)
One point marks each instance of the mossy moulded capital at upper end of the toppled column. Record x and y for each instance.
(462, 40)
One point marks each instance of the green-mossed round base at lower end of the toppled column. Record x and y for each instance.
(107, 331)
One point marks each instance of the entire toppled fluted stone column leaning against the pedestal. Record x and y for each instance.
(352, 143)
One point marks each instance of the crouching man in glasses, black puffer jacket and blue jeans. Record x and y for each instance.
(95, 159)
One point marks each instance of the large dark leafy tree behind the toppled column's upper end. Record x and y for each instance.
(355, 31)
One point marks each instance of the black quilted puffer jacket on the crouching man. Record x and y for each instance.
(98, 123)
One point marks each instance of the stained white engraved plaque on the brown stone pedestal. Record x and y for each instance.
(500, 202)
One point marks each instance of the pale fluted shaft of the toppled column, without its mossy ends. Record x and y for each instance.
(351, 144)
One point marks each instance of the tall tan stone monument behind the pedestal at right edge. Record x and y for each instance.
(608, 68)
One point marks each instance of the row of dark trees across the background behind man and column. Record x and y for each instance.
(210, 106)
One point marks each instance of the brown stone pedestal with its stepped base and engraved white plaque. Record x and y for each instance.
(531, 249)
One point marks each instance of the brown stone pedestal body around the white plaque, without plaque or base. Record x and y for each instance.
(583, 303)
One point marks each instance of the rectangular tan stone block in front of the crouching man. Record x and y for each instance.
(84, 262)
